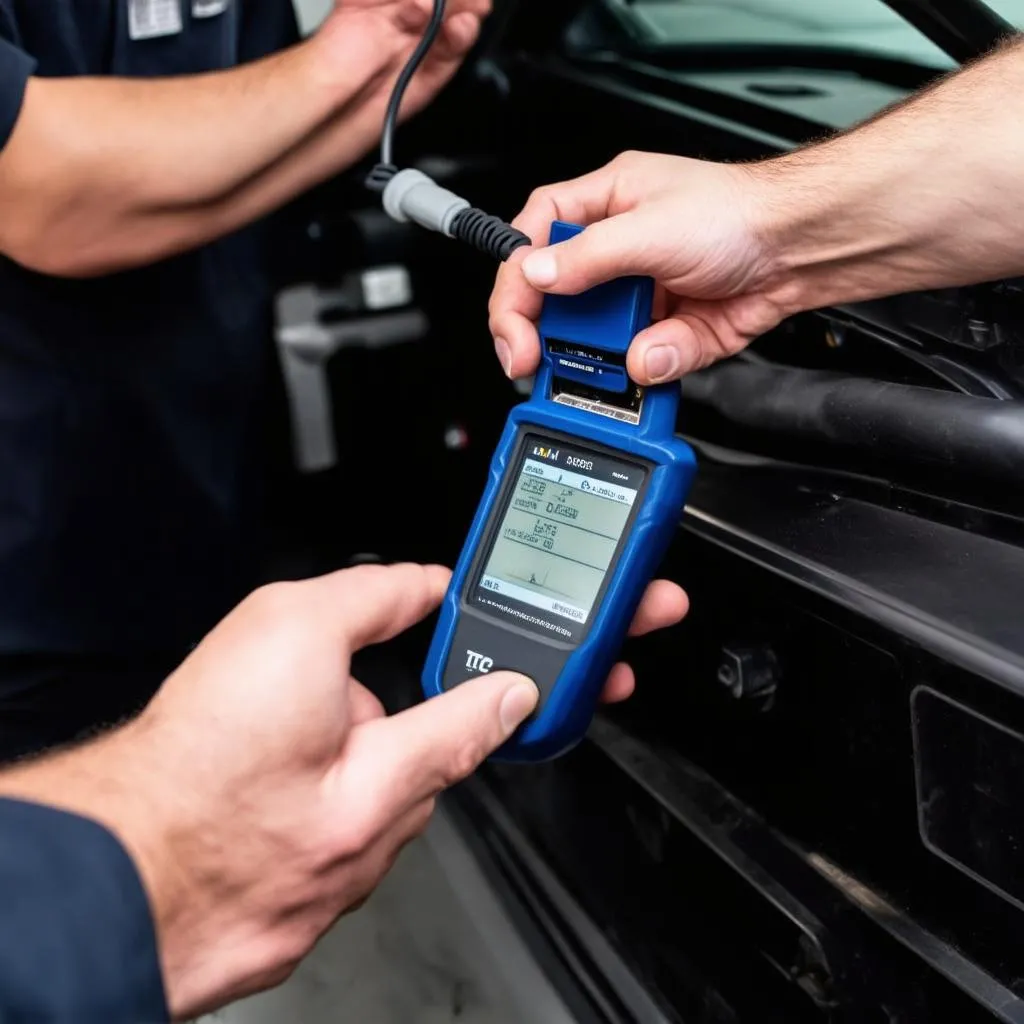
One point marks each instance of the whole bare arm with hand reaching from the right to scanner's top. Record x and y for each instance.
(928, 195)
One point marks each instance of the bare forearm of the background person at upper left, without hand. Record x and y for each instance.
(97, 168)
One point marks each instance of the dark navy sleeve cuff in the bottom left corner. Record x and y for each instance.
(77, 942)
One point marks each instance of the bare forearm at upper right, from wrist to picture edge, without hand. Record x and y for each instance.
(930, 195)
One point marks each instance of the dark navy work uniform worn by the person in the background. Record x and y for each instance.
(132, 409)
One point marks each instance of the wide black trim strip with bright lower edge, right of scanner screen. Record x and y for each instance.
(955, 594)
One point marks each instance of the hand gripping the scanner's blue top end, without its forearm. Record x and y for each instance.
(695, 227)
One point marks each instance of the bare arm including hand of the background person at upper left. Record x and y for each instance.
(110, 174)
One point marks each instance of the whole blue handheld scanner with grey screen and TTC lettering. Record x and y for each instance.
(583, 498)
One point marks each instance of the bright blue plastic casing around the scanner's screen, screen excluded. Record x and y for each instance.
(607, 319)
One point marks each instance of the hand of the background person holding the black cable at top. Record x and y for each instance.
(403, 24)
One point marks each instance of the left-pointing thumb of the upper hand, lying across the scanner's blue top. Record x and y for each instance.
(608, 249)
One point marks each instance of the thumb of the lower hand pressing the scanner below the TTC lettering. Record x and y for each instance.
(425, 750)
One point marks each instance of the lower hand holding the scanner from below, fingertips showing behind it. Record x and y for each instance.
(264, 793)
